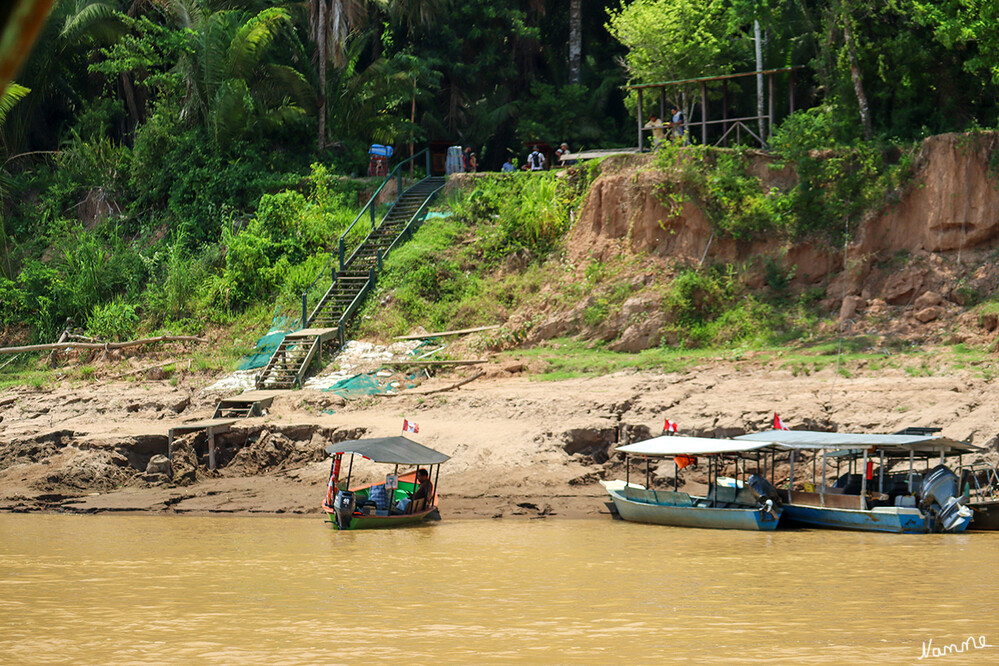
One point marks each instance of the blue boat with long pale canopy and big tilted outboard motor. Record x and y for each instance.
(868, 500)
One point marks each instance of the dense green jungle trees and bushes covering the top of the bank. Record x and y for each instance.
(172, 164)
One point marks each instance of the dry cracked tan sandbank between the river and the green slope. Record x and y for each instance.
(519, 447)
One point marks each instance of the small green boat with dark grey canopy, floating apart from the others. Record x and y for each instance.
(400, 500)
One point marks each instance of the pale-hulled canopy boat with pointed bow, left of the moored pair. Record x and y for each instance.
(728, 504)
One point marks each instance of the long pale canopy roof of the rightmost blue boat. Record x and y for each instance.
(810, 439)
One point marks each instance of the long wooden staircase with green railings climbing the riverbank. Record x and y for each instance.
(327, 322)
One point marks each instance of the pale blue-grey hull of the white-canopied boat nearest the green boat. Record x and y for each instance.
(694, 516)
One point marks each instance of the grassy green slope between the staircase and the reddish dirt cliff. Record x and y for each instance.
(450, 275)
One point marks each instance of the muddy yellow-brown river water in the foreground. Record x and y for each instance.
(249, 590)
